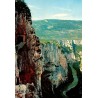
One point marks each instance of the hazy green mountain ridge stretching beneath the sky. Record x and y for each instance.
(58, 29)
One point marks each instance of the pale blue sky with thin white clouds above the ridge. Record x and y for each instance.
(55, 9)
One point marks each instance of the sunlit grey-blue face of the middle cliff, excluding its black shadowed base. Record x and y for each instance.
(55, 63)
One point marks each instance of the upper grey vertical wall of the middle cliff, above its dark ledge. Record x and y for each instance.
(51, 53)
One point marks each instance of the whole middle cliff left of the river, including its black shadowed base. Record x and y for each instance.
(54, 69)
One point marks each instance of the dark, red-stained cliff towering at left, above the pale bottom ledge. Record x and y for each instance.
(27, 46)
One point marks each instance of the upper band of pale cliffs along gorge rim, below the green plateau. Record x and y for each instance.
(61, 52)
